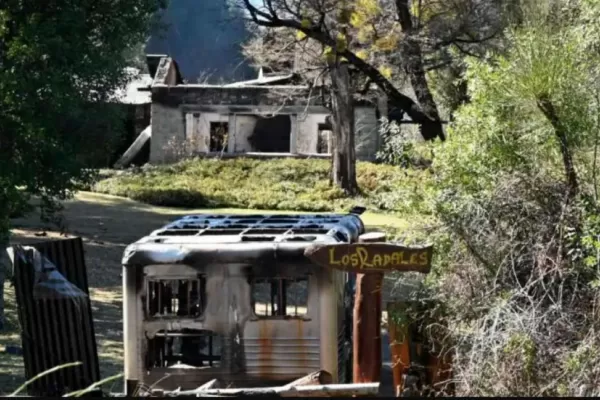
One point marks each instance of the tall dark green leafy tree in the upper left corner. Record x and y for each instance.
(56, 58)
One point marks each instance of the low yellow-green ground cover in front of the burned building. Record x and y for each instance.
(277, 184)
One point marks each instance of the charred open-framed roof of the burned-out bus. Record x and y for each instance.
(231, 238)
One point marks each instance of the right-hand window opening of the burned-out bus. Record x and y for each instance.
(280, 297)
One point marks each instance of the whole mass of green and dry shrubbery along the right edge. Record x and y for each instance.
(517, 250)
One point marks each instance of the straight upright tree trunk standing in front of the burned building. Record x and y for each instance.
(343, 170)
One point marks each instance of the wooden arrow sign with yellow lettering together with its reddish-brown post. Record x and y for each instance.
(369, 259)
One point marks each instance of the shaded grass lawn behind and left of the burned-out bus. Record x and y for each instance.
(107, 224)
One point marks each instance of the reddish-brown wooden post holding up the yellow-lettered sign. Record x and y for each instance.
(367, 322)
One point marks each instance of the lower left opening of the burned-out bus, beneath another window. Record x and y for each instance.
(193, 347)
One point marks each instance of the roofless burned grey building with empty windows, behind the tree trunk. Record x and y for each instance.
(268, 115)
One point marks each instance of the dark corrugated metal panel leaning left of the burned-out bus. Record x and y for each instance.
(56, 331)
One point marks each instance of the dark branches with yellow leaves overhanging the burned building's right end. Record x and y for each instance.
(385, 41)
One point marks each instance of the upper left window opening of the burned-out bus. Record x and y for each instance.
(171, 298)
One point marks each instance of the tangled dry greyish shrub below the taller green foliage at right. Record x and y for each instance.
(520, 309)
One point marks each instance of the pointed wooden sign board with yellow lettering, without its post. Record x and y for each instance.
(371, 257)
